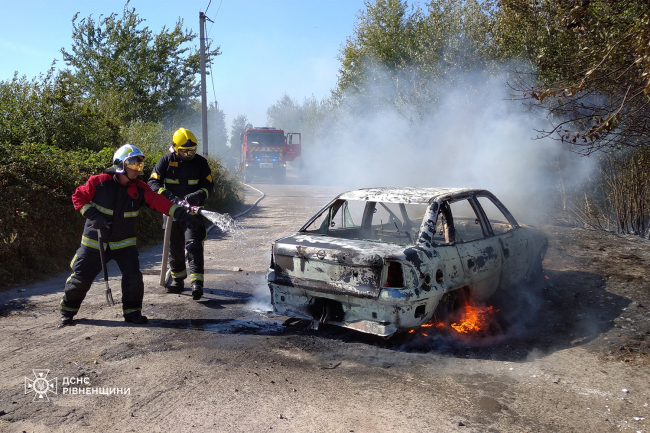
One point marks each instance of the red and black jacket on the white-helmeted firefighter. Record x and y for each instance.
(104, 195)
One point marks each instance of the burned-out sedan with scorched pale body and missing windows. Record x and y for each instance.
(383, 260)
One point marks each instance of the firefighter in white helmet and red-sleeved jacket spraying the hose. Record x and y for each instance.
(110, 202)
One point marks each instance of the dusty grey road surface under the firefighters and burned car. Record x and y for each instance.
(227, 364)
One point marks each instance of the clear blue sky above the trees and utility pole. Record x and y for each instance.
(270, 47)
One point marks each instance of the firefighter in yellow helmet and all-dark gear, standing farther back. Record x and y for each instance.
(182, 175)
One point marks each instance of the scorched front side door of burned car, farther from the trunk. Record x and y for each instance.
(512, 239)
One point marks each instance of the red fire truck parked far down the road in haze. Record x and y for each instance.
(266, 150)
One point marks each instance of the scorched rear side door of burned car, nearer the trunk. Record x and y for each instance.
(480, 254)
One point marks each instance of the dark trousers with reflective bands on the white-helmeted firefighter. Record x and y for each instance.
(86, 265)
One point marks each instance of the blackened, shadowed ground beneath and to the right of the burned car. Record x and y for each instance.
(570, 308)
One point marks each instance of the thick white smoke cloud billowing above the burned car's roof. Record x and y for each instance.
(474, 136)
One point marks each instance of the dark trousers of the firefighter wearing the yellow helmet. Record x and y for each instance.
(190, 239)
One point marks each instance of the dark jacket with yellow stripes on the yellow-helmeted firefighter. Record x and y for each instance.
(175, 178)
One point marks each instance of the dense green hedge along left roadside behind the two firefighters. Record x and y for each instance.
(39, 228)
